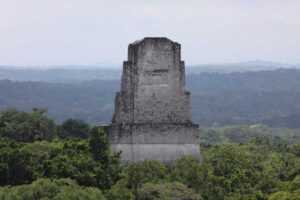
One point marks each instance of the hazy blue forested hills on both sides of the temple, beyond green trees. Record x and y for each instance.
(218, 99)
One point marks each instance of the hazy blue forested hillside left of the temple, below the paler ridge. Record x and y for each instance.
(91, 101)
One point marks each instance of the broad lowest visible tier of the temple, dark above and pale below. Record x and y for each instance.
(159, 141)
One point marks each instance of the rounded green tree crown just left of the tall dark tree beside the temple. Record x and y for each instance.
(71, 159)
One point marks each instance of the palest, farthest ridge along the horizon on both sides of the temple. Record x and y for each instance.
(79, 73)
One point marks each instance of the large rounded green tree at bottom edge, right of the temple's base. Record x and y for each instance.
(231, 171)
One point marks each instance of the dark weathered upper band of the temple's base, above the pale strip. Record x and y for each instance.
(157, 133)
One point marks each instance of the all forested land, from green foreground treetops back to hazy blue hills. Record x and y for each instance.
(52, 148)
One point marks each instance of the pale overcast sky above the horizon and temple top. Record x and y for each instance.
(58, 32)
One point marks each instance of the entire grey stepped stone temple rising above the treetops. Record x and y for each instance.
(152, 119)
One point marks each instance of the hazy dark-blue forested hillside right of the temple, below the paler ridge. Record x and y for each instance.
(270, 97)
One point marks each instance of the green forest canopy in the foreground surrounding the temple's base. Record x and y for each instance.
(40, 159)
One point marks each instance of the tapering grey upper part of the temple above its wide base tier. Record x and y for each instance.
(153, 84)
